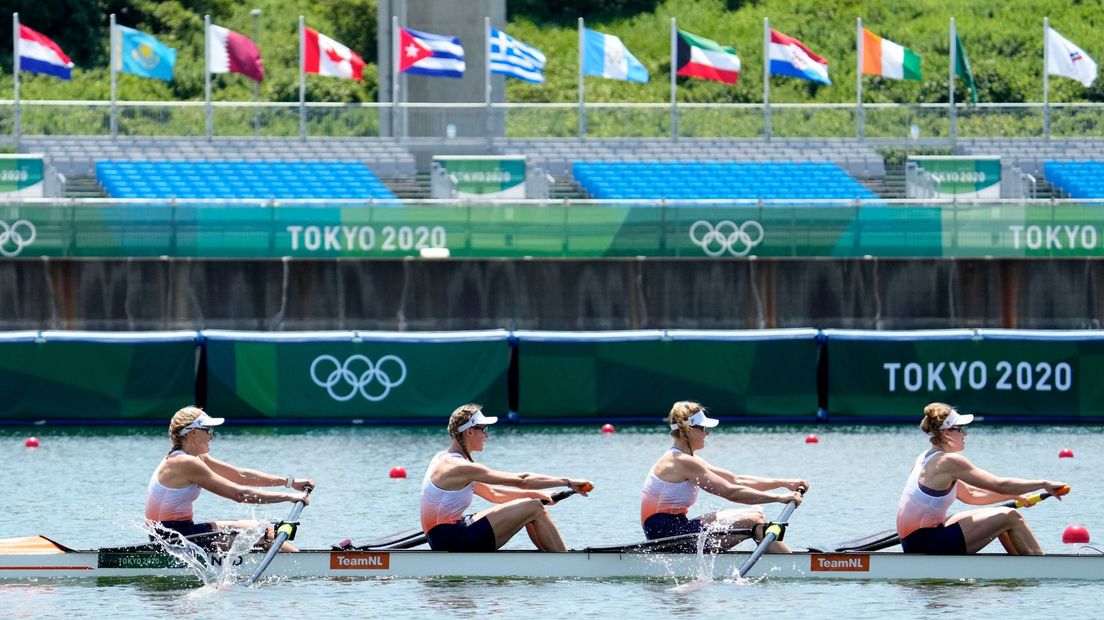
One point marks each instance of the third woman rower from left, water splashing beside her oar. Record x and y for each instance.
(673, 484)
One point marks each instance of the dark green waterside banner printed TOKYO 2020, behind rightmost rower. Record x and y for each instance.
(989, 372)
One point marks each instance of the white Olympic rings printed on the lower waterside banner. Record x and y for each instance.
(358, 375)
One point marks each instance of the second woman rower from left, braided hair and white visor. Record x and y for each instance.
(453, 477)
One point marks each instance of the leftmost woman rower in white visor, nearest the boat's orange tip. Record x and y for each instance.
(189, 467)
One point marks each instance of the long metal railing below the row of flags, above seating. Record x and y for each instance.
(879, 123)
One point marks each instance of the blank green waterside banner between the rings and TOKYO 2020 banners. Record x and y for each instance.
(642, 375)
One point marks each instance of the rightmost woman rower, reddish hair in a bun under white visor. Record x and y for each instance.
(922, 519)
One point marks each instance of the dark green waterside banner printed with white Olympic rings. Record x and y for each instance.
(355, 376)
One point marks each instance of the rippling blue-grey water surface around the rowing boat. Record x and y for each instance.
(86, 488)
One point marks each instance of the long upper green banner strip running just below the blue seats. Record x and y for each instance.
(575, 232)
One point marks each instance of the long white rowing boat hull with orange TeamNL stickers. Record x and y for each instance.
(43, 559)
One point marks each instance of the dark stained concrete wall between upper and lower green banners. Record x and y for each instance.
(556, 295)
